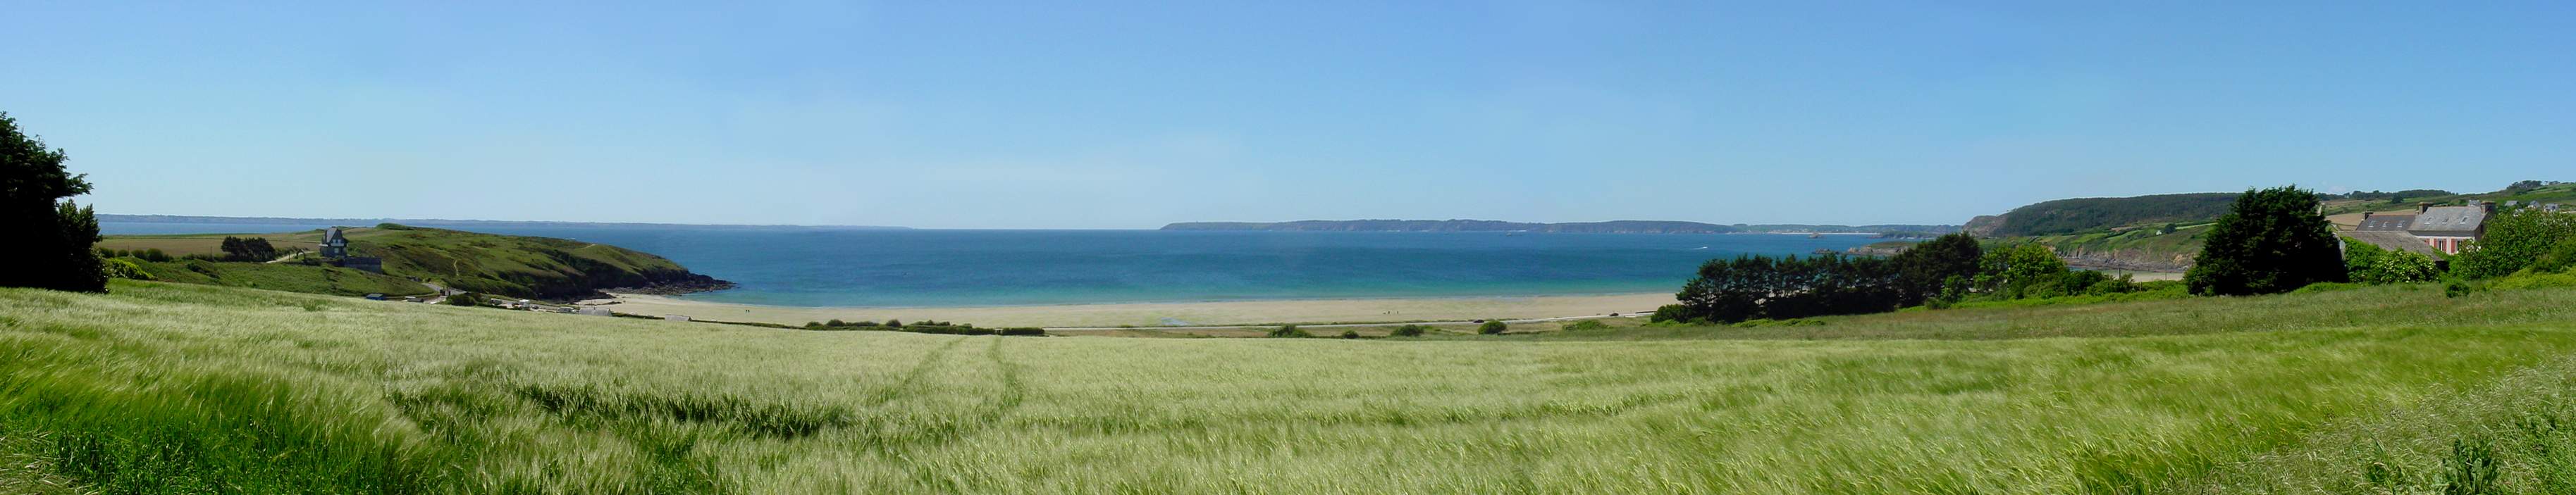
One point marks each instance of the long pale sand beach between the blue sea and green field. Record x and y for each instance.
(1160, 313)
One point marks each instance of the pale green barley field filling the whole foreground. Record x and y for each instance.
(164, 388)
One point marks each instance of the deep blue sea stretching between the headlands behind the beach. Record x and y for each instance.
(823, 267)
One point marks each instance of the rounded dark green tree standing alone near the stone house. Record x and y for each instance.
(2271, 241)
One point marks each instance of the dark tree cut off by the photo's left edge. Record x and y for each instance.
(50, 236)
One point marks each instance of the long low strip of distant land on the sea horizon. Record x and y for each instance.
(1565, 228)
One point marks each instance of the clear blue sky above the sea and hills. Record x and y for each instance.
(1135, 115)
